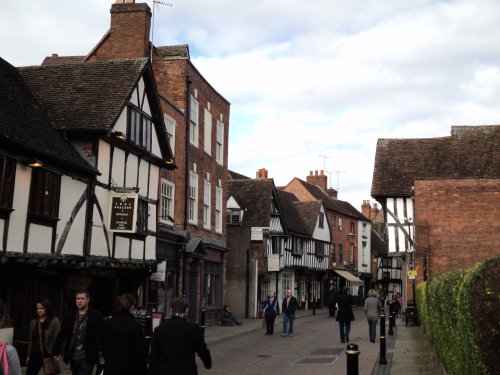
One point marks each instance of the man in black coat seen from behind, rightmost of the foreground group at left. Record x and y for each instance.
(175, 343)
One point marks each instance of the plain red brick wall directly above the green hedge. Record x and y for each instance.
(457, 223)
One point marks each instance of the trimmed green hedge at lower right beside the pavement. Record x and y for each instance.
(459, 311)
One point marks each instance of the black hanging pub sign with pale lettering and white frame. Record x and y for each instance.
(122, 212)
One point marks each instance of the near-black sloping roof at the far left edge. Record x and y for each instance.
(26, 128)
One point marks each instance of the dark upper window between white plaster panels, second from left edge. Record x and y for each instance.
(44, 193)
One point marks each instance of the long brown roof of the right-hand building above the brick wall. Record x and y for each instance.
(470, 152)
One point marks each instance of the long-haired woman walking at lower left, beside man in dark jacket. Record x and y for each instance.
(43, 333)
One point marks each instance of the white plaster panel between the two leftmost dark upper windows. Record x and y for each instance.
(20, 204)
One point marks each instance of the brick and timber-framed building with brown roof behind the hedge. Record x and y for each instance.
(441, 198)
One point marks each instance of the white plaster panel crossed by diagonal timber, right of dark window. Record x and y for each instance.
(71, 191)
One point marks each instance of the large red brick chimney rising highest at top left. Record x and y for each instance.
(128, 35)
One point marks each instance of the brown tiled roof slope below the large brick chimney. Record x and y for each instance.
(84, 96)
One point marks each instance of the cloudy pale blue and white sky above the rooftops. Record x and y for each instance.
(312, 84)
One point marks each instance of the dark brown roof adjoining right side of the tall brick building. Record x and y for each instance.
(255, 196)
